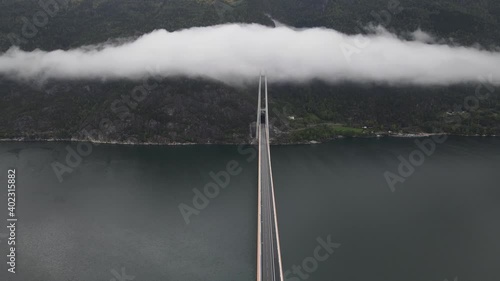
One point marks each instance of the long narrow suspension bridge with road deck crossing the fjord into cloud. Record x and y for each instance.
(269, 266)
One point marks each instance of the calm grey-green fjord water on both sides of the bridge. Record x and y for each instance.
(118, 212)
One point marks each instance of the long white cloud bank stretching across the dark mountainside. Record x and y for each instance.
(235, 52)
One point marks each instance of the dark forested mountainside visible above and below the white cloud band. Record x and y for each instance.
(189, 110)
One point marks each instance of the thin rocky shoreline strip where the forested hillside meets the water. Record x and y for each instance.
(310, 142)
